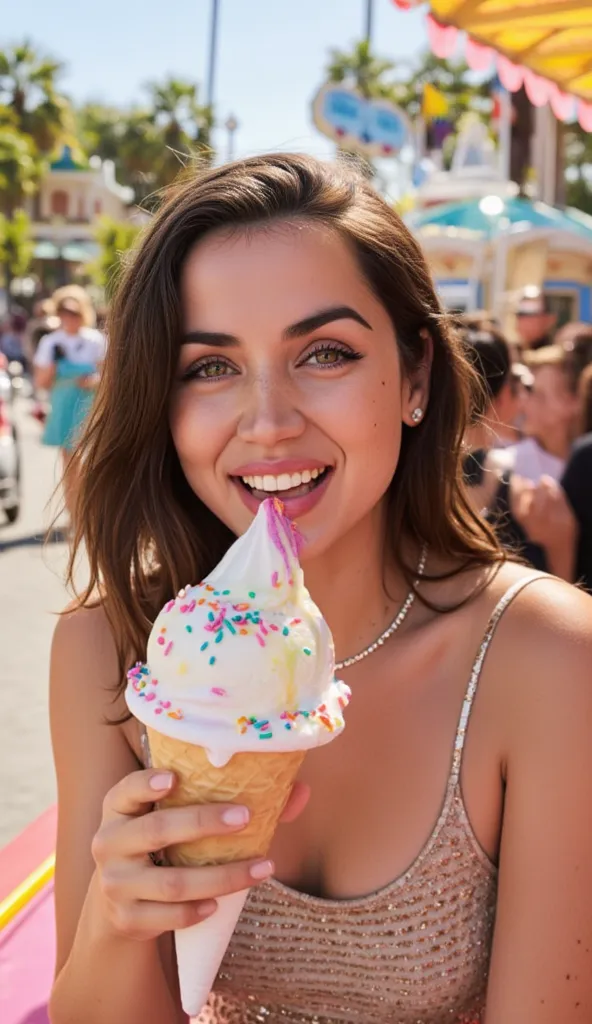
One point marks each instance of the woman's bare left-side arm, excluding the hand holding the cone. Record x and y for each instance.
(101, 977)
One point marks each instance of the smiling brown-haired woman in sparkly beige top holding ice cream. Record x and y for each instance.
(278, 318)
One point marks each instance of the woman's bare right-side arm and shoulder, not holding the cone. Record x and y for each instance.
(541, 971)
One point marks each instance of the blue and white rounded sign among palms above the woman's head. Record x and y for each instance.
(371, 127)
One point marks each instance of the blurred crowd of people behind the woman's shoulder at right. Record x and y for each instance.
(526, 463)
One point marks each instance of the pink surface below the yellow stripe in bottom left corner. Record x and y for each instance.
(27, 955)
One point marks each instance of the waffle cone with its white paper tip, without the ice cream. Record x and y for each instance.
(262, 783)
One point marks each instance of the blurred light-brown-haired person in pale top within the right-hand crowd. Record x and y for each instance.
(551, 417)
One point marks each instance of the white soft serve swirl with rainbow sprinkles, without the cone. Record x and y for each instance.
(243, 661)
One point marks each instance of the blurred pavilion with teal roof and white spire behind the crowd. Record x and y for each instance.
(485, 249)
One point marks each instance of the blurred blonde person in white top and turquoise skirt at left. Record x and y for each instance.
(67, 364)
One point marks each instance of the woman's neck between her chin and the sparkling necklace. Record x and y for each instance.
(358, 593)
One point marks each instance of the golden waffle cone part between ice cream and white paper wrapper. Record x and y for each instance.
(260, 782)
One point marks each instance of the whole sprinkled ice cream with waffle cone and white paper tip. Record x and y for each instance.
(238, 687)
